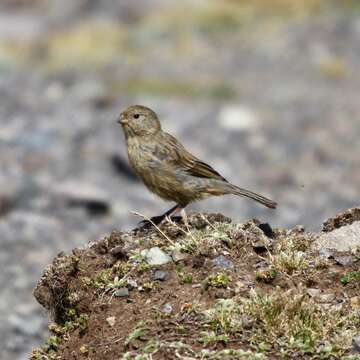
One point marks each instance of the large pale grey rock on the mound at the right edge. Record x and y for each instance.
(343, 239)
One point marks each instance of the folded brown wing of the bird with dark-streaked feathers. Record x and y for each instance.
(189, 162)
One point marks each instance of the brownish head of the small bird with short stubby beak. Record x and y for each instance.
(138, 120)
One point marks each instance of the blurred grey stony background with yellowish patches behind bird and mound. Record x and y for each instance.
(265, 91)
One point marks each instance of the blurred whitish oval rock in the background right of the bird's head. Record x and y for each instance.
(237, 118)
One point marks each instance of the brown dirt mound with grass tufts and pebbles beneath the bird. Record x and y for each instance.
(208, 290)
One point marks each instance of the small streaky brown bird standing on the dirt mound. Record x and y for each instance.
(168, 169)
